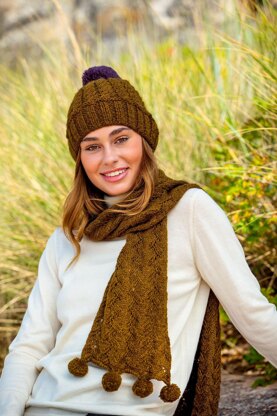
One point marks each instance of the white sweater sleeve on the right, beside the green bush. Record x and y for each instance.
(221, 262)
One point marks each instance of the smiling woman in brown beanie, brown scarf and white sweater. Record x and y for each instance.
(123, 319)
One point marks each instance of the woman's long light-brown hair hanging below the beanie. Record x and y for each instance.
(84, 200)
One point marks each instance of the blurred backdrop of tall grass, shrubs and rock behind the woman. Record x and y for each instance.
(207, 72)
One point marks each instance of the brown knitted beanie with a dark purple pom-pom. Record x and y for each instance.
(105, 100)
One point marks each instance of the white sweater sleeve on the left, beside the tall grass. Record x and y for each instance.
(36, 336)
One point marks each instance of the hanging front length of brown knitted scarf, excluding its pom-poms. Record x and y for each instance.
(135, 297)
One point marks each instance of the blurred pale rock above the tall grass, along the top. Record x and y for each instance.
(24, 25)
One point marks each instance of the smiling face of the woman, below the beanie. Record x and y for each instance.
(111, 157)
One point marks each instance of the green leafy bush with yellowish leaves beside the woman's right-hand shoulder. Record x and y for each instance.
(248, 193)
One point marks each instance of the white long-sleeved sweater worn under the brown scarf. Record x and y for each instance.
(203, 253)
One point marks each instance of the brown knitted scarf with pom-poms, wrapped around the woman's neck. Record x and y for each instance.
(130, 331)
